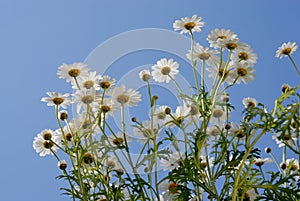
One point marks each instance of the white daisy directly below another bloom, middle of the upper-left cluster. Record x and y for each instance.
(87, 97)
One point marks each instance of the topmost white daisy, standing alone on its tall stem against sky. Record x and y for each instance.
(187, 25)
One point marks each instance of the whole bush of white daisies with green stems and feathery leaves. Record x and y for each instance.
(191, 152)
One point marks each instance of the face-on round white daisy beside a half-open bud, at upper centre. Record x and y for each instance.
(165, 70)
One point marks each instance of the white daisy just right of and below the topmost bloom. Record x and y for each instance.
(218, 38)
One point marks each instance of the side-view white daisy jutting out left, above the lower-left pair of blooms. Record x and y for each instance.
(57, 99)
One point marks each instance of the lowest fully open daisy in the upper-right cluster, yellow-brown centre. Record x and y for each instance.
(243, 73)
